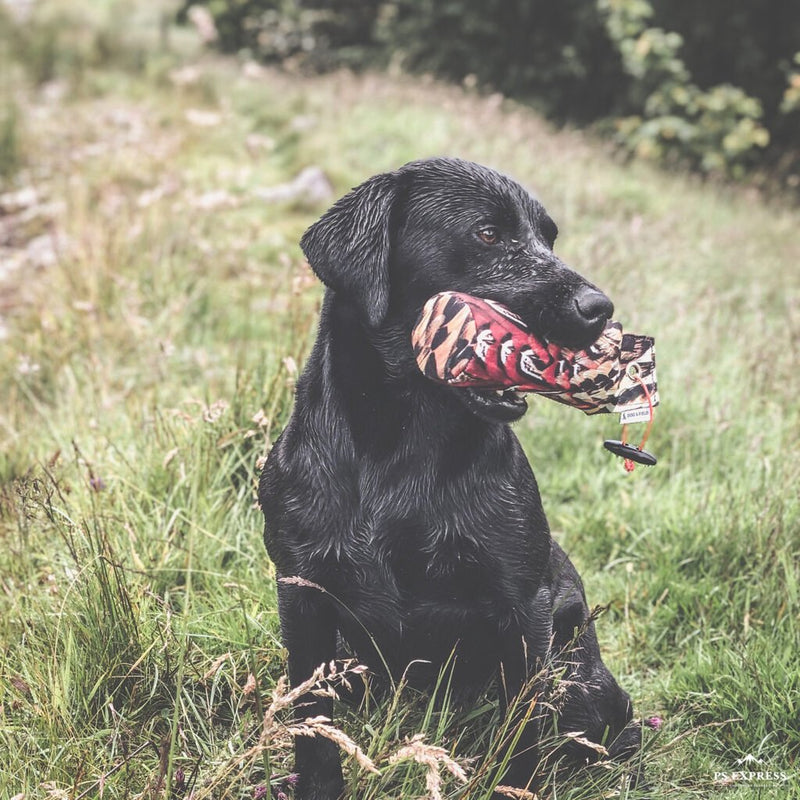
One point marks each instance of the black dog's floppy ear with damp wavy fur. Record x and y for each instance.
(348, 247)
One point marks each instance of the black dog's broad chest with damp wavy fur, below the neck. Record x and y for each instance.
(432, 530)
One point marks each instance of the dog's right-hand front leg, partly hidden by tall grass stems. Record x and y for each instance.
(524, 657)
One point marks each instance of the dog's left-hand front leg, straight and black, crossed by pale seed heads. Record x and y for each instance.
(308, 627)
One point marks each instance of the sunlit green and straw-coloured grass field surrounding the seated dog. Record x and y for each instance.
(153, 312)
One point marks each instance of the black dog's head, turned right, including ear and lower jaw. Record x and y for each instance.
(445, 224)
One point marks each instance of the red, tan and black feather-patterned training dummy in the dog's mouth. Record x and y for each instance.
(460, 340)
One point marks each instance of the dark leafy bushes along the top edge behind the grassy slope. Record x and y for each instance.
(711, 86)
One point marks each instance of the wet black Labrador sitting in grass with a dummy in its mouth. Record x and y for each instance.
(413, 504)
